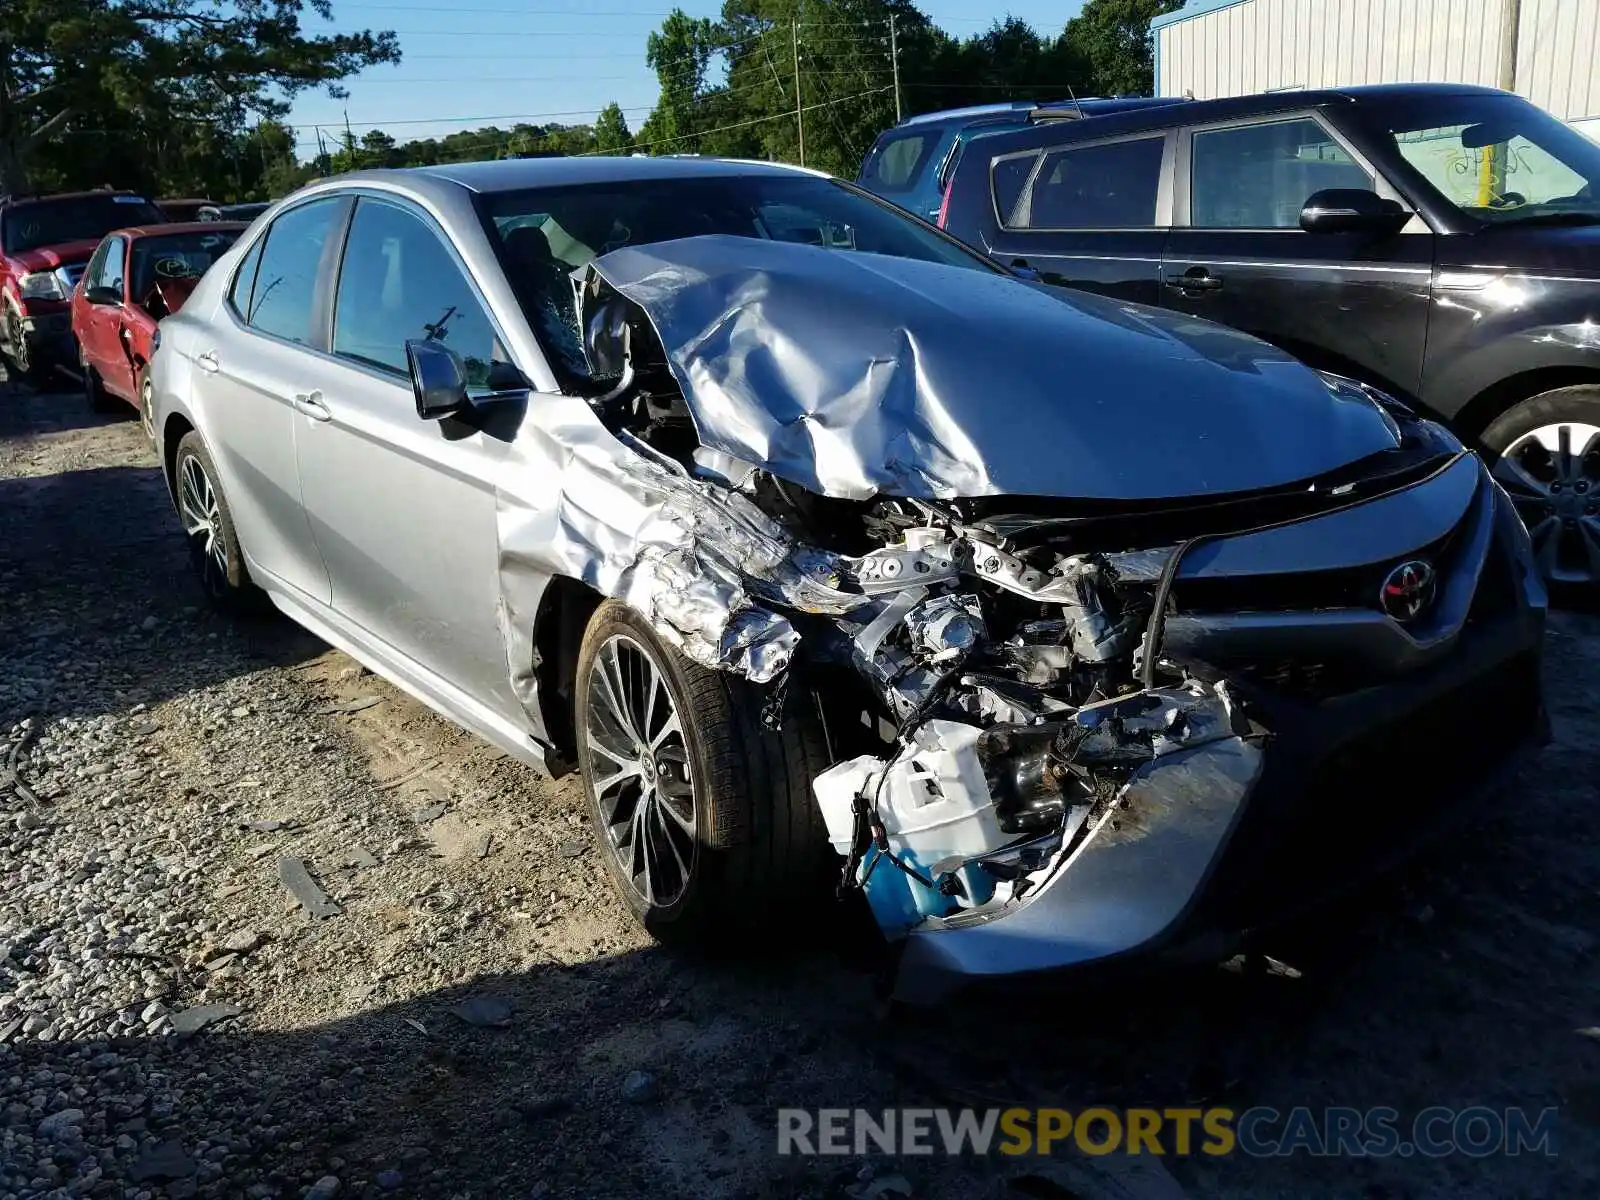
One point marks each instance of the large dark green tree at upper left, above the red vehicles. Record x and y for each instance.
(95, 90)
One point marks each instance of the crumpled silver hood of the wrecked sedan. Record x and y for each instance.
(854, 374)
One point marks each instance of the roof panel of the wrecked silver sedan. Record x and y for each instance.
(513, 175)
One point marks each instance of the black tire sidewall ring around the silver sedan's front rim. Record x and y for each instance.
(615, 618)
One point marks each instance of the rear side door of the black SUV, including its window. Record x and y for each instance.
(1087, 215)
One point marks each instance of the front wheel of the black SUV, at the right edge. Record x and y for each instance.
(1546, 454)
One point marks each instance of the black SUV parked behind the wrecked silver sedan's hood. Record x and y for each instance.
(1441, 242)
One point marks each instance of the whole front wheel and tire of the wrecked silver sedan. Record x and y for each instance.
(705, 817)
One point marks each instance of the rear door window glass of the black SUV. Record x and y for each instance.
(1110, 186)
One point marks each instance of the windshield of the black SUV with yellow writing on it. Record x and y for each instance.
(1502, 159)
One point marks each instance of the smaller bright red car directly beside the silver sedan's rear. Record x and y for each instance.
(137, 278)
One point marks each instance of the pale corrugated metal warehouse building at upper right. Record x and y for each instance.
(1548, 50)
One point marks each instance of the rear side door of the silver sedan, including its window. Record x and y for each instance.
(255, 362)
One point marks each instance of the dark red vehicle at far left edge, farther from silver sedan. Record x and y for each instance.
(44, 244)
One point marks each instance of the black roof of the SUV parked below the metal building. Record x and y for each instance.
(1153, 118)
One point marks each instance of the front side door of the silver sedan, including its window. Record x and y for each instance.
(404, 510)
